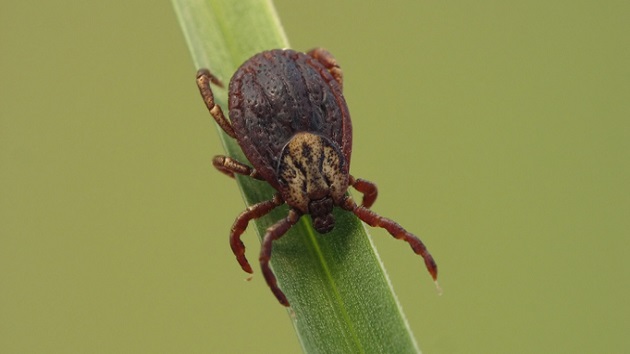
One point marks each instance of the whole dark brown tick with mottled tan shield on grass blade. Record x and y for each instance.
(289, 116)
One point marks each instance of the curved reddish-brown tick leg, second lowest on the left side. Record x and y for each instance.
(240, 224)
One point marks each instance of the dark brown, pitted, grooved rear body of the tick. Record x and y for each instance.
(279, 93)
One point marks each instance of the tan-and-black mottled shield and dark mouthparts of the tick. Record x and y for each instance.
(313, 175)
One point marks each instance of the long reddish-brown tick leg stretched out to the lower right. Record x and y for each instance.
(375, 220)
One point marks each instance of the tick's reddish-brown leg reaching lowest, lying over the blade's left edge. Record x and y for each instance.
(273, 233)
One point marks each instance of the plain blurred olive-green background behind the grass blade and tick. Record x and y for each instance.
(499, 132)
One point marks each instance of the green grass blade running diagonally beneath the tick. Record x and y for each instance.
(339, 292)
